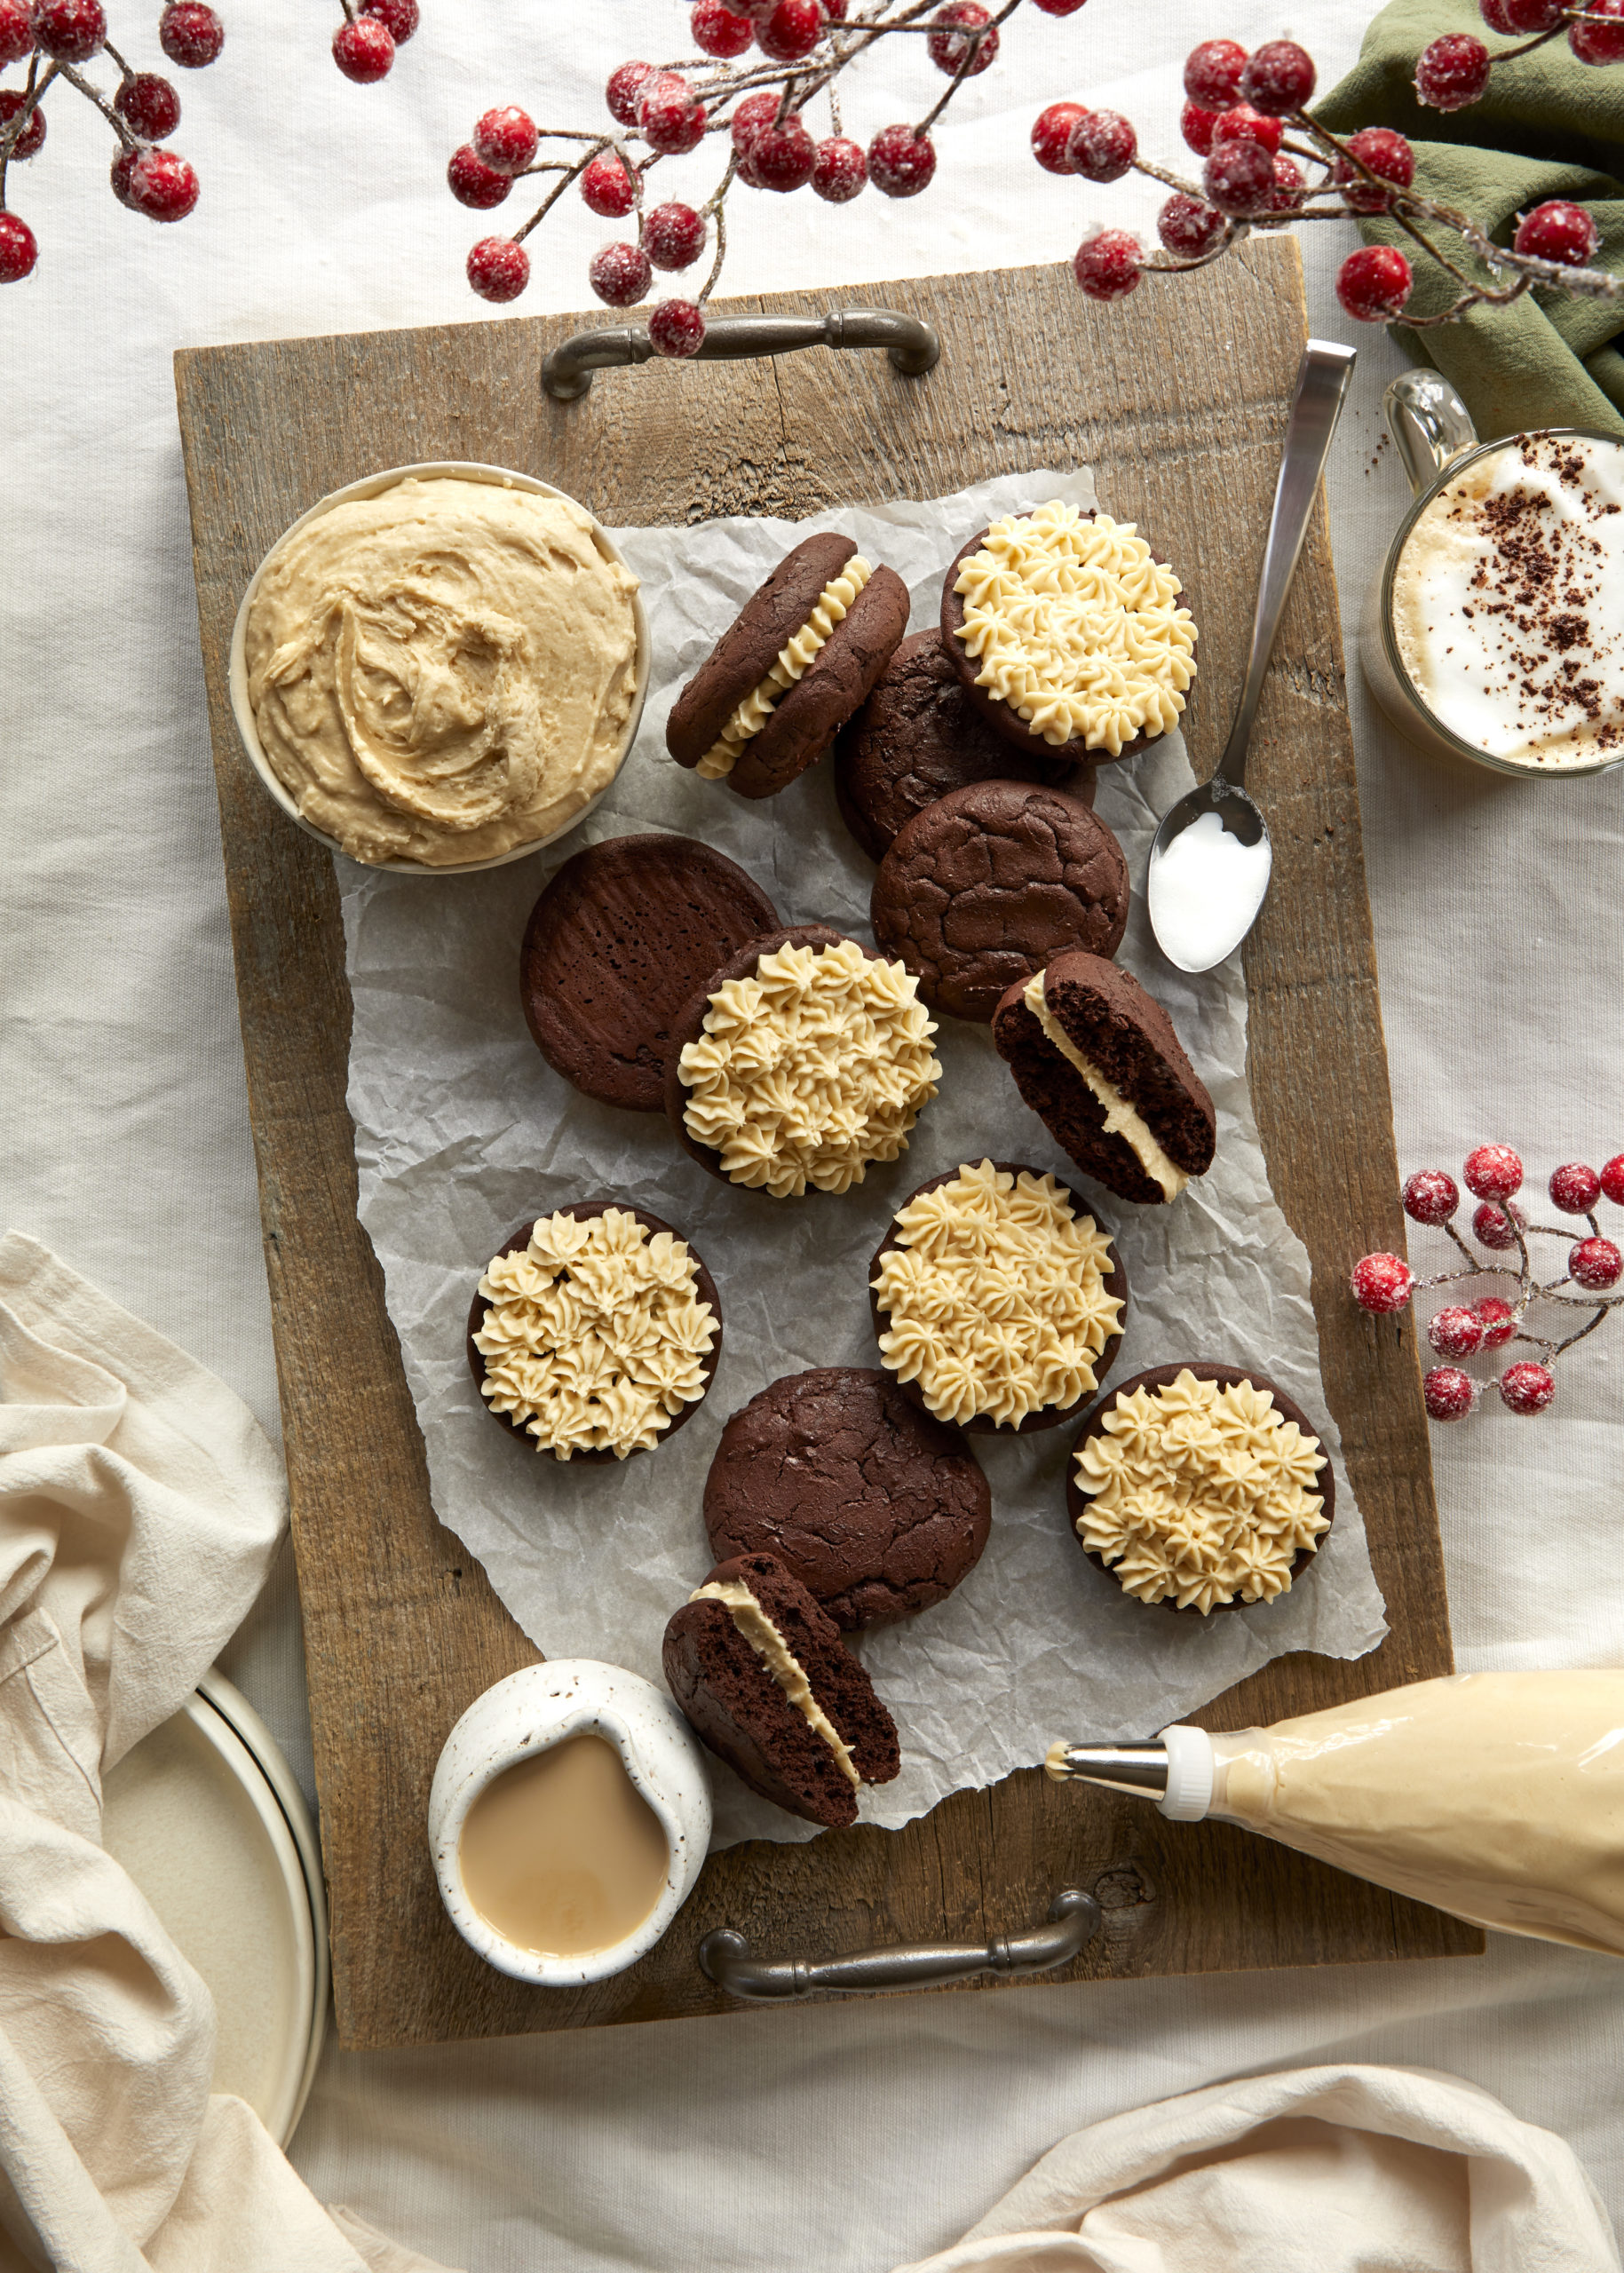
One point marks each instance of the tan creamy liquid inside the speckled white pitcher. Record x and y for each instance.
(563, 1854)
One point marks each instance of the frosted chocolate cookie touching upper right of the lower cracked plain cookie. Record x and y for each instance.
(1045, 1290)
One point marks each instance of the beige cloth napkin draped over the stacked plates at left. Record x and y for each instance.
(140, 1508)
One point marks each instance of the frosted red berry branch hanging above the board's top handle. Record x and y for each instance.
(765, 94)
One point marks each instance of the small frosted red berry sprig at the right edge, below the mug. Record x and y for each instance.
(1596, 1265)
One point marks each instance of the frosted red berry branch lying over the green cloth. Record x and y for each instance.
(1248, 117)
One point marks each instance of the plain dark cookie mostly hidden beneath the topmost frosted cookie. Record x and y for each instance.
(920, 738)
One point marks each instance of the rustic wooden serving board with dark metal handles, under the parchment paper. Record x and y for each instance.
(1177, 399)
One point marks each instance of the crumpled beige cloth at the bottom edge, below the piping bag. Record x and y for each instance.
(1309, 2172)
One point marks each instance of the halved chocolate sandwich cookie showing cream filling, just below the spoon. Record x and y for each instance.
(1102, 1067)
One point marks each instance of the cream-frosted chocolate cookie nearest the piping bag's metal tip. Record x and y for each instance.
(1200, 1488)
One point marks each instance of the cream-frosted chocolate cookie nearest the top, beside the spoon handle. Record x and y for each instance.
(1068, 640)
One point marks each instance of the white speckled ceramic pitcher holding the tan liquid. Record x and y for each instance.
(531, 1713)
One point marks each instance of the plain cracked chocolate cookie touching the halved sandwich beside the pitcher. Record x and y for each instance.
(872, 1504)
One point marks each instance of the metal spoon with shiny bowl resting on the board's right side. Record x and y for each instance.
(1223, 924)
